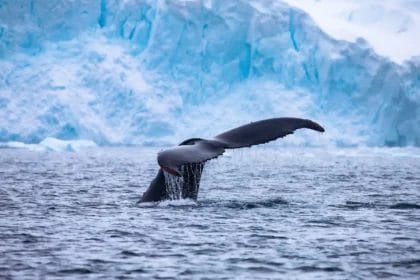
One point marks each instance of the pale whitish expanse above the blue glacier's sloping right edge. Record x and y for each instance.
(391, 27)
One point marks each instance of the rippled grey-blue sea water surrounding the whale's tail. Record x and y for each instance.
(265, 212)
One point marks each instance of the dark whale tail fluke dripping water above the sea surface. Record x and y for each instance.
(181, 167)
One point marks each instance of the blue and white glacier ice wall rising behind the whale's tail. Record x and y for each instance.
(155, 72)
